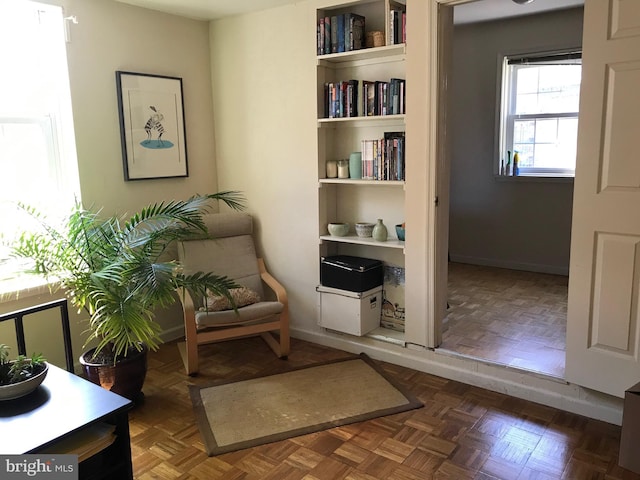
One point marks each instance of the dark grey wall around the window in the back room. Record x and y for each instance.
(506, 224)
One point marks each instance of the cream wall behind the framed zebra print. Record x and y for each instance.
(112, 36)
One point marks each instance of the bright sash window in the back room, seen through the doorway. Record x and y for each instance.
(539, 113)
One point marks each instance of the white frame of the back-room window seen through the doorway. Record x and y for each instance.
(505, 119)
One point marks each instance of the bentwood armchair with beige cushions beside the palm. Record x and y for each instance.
(231, 252)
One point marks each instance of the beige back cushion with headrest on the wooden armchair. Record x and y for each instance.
(231, 251)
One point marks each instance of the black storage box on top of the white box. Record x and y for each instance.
(355, 274)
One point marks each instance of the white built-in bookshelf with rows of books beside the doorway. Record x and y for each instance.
(361, 106)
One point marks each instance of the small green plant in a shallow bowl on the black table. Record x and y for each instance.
(21, 376)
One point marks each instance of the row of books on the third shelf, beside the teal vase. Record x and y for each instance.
(383, 159)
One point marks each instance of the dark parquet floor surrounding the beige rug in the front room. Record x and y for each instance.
(463, 432)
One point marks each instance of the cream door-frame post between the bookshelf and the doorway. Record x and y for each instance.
(426, 275)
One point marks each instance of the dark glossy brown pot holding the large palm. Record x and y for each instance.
(125, 378)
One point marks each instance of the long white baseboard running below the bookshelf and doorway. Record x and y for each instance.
(552, 392)
